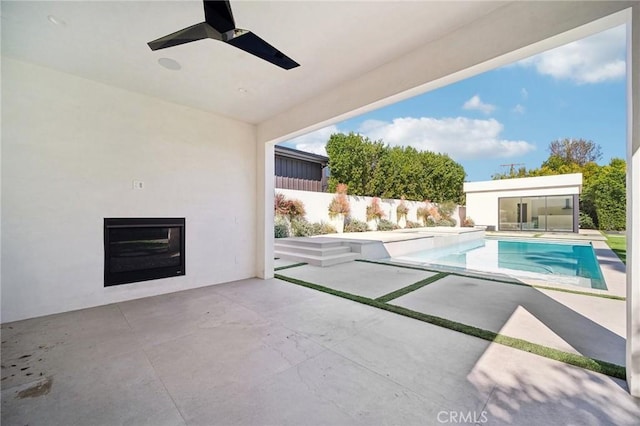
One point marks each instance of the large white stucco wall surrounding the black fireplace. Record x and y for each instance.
(71, 149)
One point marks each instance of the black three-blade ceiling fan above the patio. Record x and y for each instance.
(219, 25)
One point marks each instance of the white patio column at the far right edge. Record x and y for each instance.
(633, 203)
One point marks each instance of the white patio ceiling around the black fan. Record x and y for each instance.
(333, 41)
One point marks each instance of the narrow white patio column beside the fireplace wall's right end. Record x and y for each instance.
(264, 209)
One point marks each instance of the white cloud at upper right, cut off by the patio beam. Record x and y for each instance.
(594, 59)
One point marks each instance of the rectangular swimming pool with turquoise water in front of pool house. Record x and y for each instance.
(550, 262)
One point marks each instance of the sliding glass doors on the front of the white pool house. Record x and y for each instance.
(550, 213)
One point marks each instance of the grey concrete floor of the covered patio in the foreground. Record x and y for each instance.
(268, 352)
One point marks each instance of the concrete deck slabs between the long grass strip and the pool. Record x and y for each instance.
(581, 324)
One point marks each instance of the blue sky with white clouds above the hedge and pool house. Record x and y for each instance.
(509, 115)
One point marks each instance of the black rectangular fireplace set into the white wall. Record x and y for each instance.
(141, 249)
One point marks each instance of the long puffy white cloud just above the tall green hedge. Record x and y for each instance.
(460, 137)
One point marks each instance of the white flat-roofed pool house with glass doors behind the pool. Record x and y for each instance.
(544, 203)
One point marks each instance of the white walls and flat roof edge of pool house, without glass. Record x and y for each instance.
(483, 197)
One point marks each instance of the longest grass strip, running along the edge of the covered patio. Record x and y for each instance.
(581, 361)
